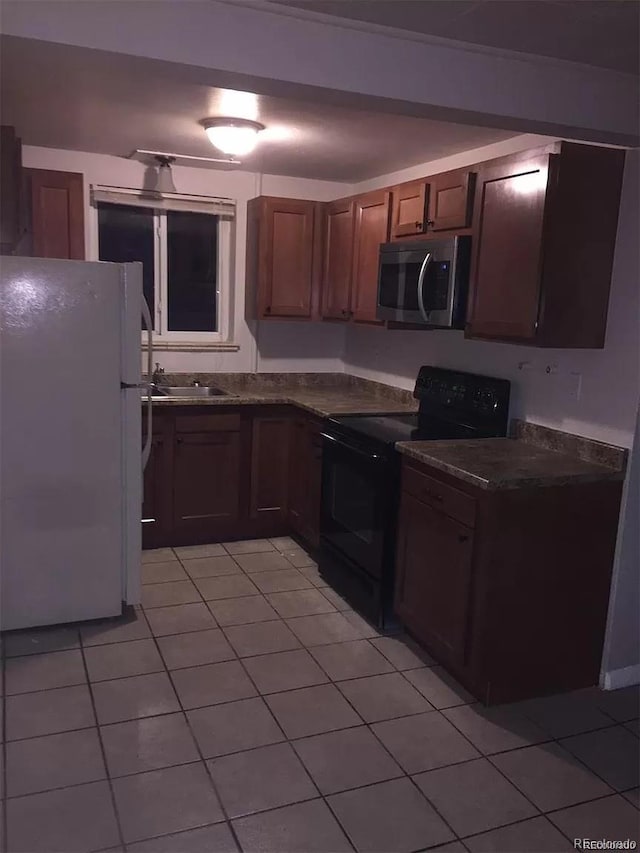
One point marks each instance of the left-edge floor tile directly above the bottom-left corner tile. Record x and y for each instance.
(53, 761)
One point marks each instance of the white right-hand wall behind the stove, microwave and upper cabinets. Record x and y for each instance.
(589, 392)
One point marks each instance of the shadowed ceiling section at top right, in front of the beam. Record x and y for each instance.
(604, 33)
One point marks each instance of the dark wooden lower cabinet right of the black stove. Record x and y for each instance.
(507, 589)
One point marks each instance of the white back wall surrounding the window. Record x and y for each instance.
(321, 348)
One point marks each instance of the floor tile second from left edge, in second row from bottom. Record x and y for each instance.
(148, 744)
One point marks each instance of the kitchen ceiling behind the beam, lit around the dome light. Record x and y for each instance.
(64, 97)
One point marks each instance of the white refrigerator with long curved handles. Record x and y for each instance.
(71, 460)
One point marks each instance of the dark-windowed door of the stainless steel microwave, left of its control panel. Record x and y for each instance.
(399, 272)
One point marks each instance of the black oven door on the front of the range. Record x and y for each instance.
(356, 504)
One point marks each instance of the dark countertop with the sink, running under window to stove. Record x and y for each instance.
(324, 395)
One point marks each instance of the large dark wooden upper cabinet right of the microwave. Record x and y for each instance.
(544, 231)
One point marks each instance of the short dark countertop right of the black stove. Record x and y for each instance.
(506, 463)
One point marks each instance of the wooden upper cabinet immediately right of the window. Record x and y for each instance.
(281, 256)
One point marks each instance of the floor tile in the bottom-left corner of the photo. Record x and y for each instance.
(70, 819)
